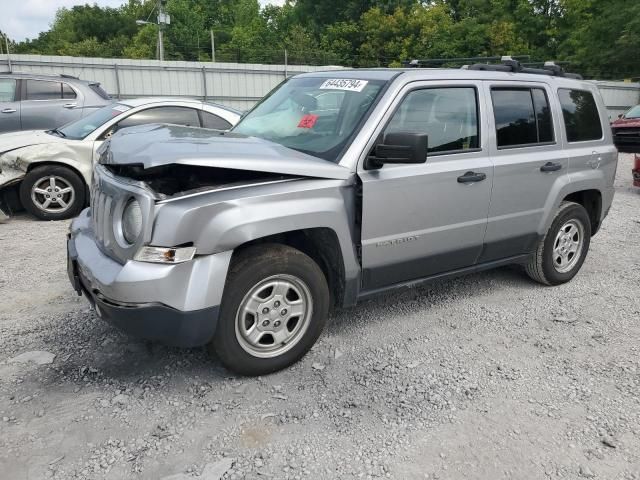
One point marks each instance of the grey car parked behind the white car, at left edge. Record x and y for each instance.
(39, 102)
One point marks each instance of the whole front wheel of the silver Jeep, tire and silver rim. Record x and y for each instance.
(265, 337)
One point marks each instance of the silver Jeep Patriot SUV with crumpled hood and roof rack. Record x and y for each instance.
(338, 186)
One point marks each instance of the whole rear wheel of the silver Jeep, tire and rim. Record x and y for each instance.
(550, 264)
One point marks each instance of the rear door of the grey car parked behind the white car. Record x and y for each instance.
(48, 104)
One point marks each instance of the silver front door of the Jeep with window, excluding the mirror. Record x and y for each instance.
(421, 220)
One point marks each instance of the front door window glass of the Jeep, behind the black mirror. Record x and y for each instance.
(449, 116)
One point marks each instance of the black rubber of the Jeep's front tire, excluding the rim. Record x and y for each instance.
(264, 263)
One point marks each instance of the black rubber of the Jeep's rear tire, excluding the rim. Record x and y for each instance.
(575, 212)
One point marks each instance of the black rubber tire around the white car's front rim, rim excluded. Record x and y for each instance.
(52, 170)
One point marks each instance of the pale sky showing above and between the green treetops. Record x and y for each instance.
(27, 18)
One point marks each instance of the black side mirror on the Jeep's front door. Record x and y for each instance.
(399, 147)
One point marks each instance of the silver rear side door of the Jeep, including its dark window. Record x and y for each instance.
(529, 164)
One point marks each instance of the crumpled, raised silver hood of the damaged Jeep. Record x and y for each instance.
(155, 145)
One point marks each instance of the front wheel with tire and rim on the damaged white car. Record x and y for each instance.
(42, 181)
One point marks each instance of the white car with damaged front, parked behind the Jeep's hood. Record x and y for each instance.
(48, 171)
